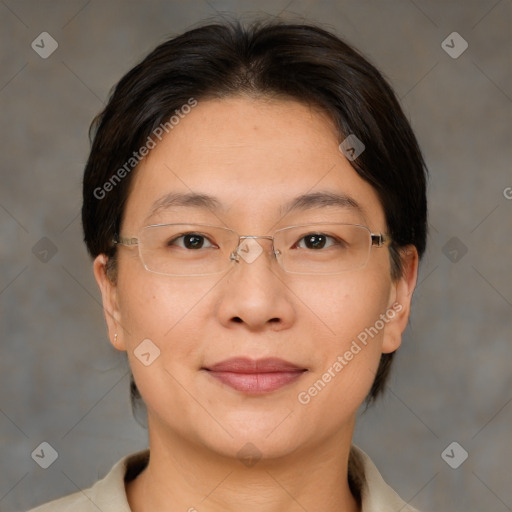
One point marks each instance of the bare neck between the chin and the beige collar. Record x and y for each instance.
(183, 476)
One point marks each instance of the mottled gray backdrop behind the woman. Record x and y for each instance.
(60, 380)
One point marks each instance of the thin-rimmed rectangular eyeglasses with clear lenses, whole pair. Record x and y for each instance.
(202, 249)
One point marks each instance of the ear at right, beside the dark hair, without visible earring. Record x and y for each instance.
(399, 306)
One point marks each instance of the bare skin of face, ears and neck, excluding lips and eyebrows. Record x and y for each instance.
(253, 155)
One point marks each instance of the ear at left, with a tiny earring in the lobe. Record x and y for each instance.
(110, 302)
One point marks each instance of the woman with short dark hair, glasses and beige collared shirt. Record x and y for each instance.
(254, 202)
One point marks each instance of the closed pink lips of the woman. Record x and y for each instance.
(255, 376)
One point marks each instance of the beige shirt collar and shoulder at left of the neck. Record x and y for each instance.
(107, 494)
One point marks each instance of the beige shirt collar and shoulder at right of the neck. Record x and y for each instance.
(376, 494)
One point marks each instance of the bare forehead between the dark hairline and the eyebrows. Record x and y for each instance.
(254, 157)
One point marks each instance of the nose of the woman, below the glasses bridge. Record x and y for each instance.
(255, 295)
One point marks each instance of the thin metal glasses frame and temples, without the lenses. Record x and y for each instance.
(376, 240)
